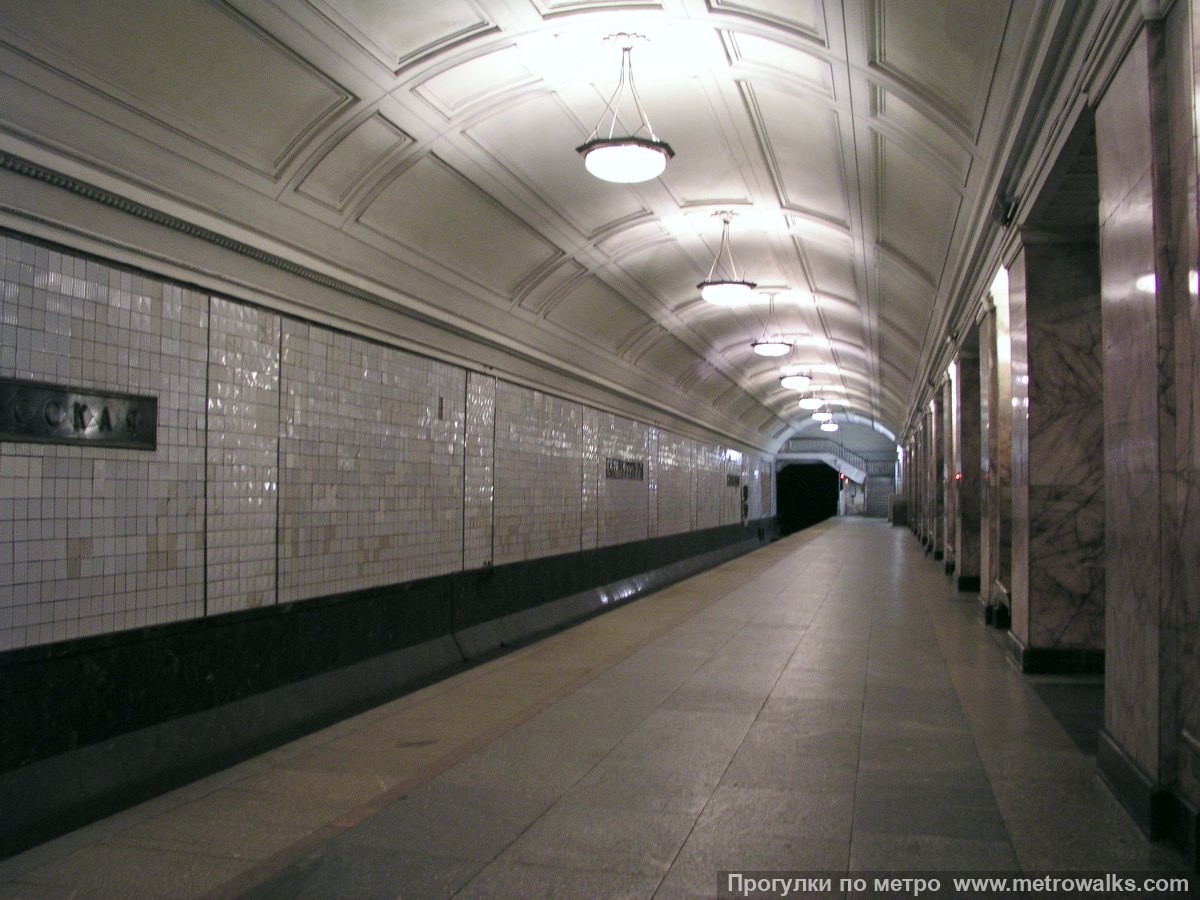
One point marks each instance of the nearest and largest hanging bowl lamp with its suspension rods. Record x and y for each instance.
(631, 158)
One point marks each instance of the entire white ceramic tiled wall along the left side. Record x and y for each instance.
(333, 463)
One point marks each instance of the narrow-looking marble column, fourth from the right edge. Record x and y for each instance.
(968, 475)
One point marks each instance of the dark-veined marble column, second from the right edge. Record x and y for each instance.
(1058, 575)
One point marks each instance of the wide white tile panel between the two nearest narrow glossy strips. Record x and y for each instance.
(371, 465)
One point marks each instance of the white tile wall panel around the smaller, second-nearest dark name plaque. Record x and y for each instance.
(623, 505)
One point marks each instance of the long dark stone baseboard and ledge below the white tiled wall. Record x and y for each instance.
(95, 725)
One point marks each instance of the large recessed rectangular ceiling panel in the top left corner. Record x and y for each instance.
(187, 67)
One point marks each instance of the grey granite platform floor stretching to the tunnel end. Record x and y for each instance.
(826, 704)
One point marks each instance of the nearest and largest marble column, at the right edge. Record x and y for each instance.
(1147, 143)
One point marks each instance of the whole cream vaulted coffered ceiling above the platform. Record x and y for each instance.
(423, 153)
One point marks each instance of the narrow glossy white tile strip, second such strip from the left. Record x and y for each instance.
(479, 477)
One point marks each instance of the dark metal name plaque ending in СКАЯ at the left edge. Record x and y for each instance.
(37, 413)
